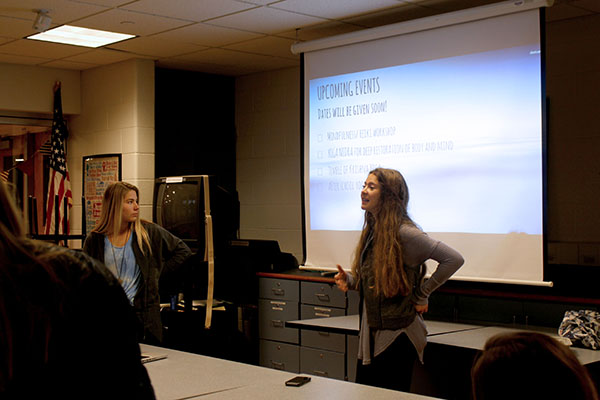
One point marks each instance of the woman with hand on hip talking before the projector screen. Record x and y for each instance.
(387, 272)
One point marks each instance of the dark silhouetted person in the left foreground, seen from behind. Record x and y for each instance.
(66, 328)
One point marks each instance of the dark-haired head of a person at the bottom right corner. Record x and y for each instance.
(529, 365)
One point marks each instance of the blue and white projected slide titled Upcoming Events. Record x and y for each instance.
(463, 130)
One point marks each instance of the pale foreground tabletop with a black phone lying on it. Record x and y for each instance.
(186, 376)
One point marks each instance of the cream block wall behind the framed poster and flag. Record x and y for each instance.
(110, 110)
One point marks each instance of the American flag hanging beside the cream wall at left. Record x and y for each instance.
(59, 175)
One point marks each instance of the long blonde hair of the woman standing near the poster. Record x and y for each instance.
(112, 211)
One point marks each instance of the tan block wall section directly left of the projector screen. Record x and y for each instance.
(267, 118)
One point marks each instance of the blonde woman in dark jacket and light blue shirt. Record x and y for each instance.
(137, 252)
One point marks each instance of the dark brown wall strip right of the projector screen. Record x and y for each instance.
(573, 89)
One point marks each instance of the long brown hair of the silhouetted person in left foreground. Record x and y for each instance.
(29, 301)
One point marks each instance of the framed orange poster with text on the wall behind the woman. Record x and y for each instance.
(99, 171)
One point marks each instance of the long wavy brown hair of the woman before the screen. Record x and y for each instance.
(384, 226)
